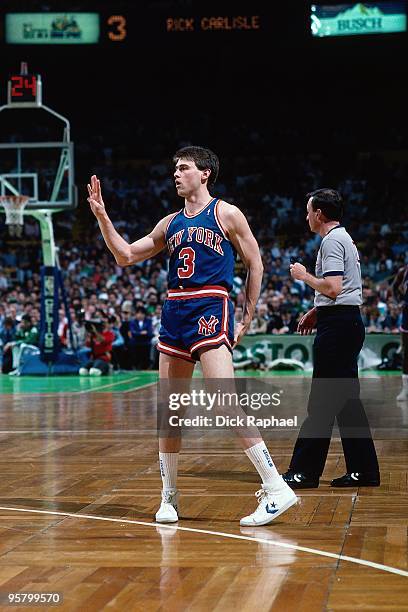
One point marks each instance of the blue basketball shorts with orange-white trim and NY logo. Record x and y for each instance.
(196, 318)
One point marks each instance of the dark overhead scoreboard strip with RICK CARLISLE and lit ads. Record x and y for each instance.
(147, 26)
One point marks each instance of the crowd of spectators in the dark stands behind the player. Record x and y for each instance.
(270, 191)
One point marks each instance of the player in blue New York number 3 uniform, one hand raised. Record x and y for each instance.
(197, 317)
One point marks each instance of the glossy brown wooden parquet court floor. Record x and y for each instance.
(80, 485)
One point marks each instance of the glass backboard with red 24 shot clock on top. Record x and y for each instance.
(42, 169)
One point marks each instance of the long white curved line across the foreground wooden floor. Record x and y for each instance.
(232, 536)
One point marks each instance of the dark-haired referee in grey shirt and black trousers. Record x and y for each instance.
(335, 390)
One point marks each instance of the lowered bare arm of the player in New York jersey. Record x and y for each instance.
(239, 233)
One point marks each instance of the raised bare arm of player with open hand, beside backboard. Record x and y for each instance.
(124, 253)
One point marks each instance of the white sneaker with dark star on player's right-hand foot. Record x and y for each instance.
(272, 502)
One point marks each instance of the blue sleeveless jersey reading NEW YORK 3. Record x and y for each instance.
(200, 253)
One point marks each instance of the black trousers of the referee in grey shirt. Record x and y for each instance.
(335, 394)
